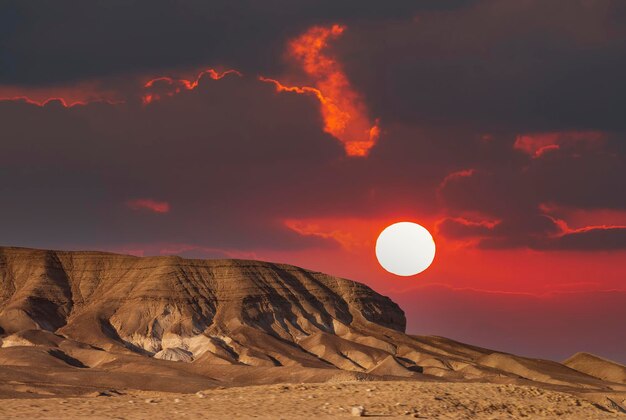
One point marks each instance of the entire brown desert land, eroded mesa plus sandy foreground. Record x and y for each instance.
(101, 335)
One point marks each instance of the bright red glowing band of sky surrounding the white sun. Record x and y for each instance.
(457, 264)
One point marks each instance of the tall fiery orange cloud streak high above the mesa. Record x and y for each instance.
(343, 111)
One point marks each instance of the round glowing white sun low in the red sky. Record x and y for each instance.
(405, 249)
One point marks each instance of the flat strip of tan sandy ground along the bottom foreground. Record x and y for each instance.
(389, 399)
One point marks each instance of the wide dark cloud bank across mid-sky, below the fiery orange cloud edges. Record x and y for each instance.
(232, 159)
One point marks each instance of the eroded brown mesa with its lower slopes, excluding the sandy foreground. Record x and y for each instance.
(72, 322)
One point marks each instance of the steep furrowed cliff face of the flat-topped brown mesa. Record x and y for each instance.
(250, 312)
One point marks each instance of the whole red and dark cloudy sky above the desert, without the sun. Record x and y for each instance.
(296, 131)
